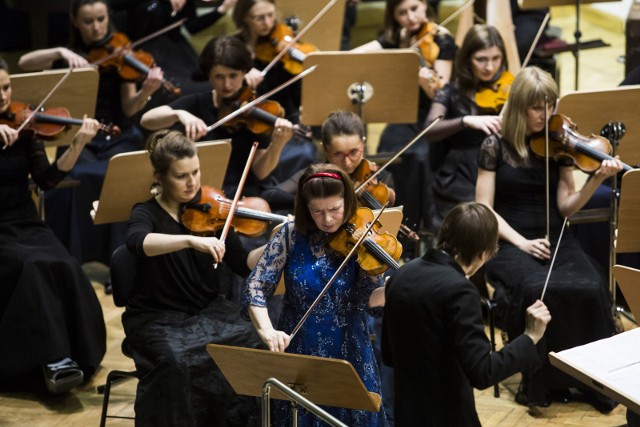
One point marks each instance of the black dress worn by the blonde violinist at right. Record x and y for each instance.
(576, 295)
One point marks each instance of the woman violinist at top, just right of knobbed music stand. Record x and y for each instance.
(406, 22)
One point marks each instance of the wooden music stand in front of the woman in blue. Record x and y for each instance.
(324, 381)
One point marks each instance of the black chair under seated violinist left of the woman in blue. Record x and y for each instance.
(122, 269)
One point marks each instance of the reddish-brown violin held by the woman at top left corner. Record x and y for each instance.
(115, 51)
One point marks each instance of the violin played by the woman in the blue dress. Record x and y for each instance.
(379, 251)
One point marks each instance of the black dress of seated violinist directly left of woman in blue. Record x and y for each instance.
(175, 310)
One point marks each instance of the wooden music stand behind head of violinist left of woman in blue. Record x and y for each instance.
(130, 175)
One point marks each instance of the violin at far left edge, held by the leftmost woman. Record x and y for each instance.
(48, 124)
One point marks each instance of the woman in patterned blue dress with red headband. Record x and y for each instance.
(337, 326)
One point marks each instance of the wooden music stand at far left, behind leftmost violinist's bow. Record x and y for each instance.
(77, 94)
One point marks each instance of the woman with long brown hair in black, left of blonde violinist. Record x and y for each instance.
(480, 61)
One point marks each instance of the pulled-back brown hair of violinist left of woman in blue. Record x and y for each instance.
(165, 146)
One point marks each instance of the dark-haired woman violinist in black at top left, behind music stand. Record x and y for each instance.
(117, 102)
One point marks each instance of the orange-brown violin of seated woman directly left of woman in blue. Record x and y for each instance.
(208, 211)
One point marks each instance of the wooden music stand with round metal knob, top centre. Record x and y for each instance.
(359, 82)
